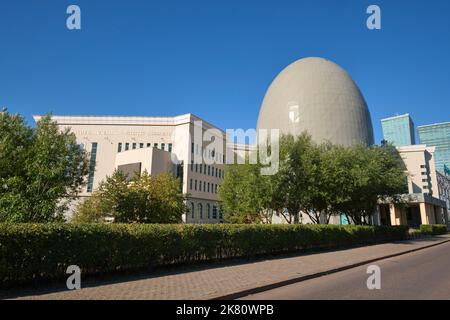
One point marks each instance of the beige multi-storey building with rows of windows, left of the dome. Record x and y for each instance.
(190, 148)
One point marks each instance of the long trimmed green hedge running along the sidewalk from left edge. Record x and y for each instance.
(44, 251)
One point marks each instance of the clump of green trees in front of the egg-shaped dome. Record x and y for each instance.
(318, 180)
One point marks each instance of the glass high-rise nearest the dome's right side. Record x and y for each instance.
(399, 130)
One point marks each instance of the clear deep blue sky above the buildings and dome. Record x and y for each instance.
(216, 58)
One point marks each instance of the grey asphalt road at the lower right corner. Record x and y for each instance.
(421, 275)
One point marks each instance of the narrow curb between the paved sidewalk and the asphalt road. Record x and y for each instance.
(244, 293)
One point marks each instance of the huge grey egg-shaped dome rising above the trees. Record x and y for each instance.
(317, 96)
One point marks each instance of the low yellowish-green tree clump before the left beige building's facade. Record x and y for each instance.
(142, 199)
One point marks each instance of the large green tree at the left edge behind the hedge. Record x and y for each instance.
(42, 169)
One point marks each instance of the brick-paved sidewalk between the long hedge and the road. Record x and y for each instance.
(214, 282)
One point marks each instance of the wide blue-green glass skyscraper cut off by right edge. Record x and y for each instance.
(437, 135)
